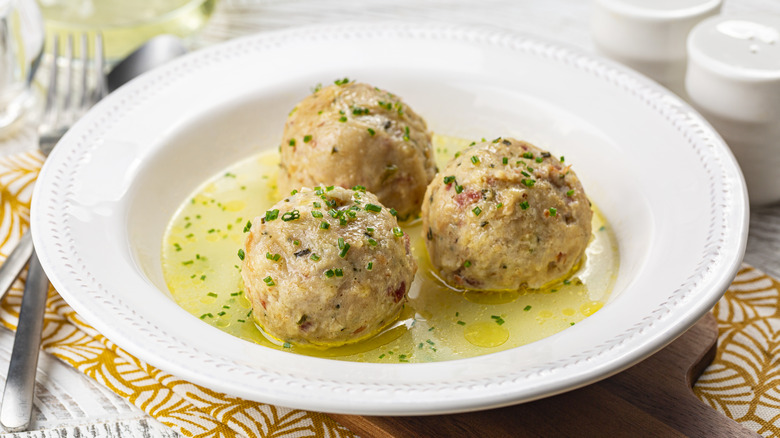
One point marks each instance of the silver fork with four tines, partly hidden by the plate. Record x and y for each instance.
(58, 116)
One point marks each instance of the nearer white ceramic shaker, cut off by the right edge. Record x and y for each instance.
(733, 79)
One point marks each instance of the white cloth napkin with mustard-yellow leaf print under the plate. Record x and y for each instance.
(743, 382)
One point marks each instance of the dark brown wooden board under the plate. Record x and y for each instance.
(653, 398)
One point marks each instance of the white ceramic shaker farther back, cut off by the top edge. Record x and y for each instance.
(649, 35)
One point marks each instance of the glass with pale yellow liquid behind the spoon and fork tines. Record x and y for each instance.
(125, 24)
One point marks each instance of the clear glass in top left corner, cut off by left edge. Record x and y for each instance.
(21, 47)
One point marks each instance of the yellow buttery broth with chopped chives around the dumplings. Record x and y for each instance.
(202, 270)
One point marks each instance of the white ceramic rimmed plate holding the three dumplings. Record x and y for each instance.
(665, 181)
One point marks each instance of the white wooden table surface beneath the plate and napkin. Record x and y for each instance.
(71, 405)
